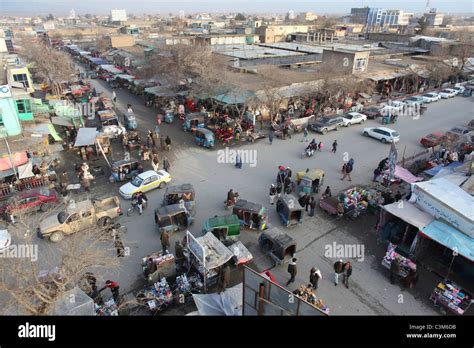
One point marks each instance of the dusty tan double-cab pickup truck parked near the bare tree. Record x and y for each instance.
(79, 216)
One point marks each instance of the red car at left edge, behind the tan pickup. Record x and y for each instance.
(33, 200)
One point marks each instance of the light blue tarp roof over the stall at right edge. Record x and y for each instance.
(450, 238)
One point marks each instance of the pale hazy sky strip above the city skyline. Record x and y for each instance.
(62, 7)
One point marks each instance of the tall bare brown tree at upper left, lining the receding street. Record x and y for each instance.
(52, 65)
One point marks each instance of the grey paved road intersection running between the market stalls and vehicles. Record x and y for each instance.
(370, 292)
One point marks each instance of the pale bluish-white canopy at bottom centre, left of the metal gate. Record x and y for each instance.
(227, 303)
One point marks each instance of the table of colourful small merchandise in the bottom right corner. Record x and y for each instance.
(451, 297)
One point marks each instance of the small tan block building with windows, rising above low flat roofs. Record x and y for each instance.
(350, 62)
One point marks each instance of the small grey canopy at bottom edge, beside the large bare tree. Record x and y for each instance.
(82, 304)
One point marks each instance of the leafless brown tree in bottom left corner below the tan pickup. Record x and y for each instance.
(23, 287)
